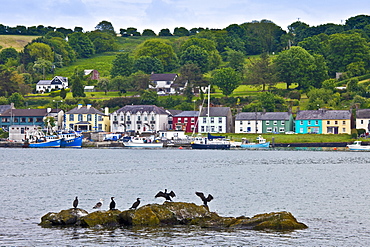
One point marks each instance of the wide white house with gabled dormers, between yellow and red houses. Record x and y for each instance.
(139, 118)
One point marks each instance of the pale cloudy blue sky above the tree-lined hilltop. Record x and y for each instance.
(161, 14)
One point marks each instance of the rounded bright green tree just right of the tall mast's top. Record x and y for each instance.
(226, 79)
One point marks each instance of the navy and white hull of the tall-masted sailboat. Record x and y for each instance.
(210, 142)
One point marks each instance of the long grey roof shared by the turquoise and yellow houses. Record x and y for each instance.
(323, 114)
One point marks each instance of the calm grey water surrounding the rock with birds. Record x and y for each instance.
(328, 191)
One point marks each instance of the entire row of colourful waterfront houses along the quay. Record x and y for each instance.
(151, 118)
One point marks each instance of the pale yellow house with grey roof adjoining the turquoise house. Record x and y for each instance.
(336, 122)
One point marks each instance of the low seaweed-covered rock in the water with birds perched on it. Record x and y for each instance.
(170, 213)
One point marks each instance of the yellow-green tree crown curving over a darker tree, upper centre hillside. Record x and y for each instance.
(159, 49)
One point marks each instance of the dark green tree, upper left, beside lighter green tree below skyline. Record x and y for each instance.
(81, 44)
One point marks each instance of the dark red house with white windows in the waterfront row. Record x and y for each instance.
(186, 121)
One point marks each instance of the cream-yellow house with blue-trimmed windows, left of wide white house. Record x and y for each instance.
(87, 119)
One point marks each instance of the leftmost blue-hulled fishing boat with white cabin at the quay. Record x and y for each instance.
(38, 139)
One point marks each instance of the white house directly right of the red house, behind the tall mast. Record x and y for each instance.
(218, 121)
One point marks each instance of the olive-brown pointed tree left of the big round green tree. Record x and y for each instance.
(261, 72)
